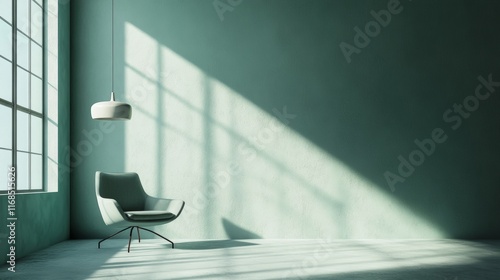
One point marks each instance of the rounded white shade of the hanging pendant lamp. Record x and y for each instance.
(111, 110)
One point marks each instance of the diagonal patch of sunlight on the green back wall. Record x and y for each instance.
(194, 138)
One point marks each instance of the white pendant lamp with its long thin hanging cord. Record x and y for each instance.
(111, 110)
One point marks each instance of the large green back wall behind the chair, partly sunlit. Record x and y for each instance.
(251, 113)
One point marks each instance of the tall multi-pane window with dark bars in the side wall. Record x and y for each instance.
(21, 92)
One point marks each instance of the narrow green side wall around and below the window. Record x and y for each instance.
(43, 218)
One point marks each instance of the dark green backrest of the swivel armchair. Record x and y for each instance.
(125, 188)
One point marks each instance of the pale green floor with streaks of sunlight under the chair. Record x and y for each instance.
(263, 259)
